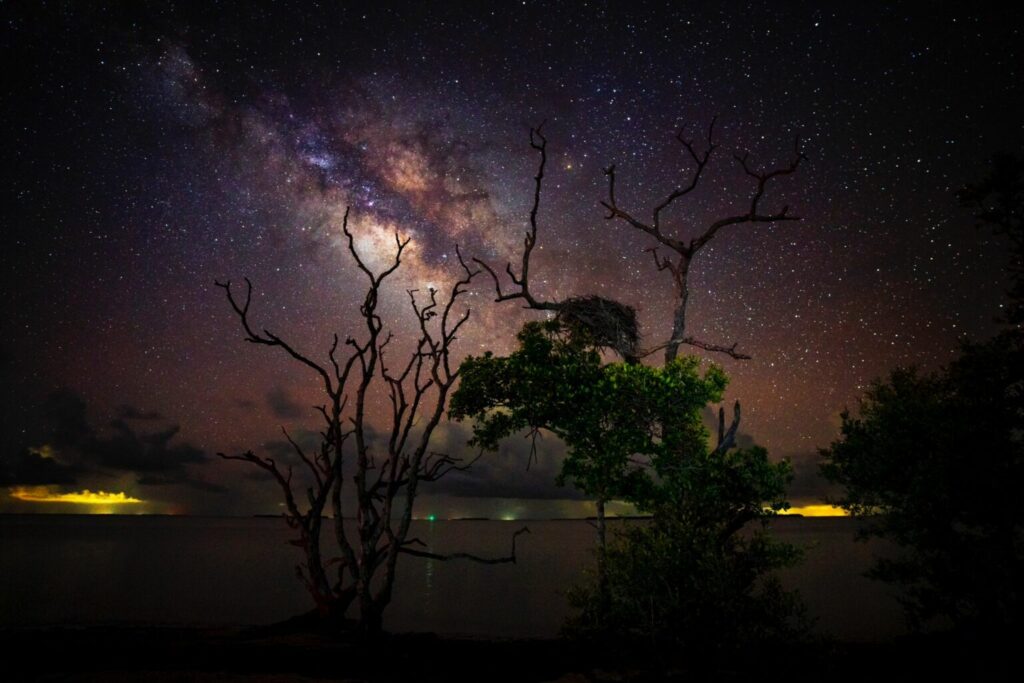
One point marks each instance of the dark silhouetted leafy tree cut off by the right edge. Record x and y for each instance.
(935, 462)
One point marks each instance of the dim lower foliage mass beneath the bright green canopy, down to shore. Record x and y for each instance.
(695, 576)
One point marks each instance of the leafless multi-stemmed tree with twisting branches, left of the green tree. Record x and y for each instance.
(381, 481)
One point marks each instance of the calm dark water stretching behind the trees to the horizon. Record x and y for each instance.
(190, 571)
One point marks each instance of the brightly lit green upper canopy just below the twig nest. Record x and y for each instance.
(610, 416)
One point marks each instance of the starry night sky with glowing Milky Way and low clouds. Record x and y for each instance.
(150, 151)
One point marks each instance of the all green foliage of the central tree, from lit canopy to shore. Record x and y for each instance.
(635, 434)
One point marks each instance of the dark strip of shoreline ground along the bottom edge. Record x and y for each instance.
(286, 655)
